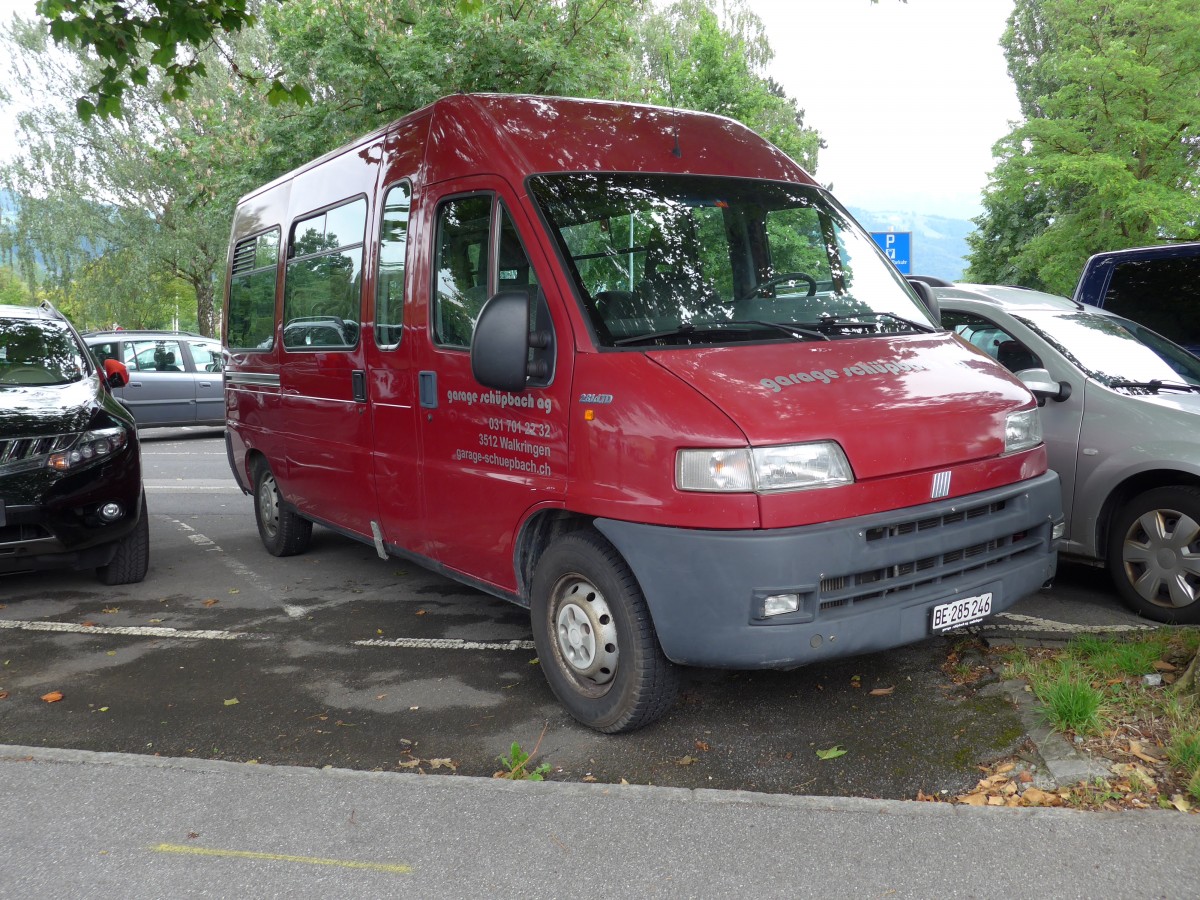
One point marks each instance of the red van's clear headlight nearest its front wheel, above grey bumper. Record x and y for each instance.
(764, 470)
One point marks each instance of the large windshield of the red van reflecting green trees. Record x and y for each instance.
(687, 260)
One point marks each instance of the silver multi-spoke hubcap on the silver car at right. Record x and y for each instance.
(1162, 559)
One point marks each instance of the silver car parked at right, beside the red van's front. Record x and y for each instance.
(1121, 417)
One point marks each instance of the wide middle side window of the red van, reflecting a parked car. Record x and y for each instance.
(323, 285)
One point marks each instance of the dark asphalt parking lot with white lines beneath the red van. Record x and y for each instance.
(338, 658)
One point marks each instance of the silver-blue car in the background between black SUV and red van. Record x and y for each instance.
(176, 379)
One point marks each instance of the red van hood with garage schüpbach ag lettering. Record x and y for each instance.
(895, 405)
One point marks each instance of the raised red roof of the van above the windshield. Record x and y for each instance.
(539, 135)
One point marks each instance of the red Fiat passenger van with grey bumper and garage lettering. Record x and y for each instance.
(633, 369)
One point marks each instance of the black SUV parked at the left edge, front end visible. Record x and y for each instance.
(70, 464)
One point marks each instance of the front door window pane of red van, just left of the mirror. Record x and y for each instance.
(461, 268)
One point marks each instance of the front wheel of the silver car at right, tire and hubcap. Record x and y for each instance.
(1155, 555)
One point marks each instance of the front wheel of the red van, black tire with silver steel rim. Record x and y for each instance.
(596, 639)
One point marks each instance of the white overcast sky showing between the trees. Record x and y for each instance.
(909, 97)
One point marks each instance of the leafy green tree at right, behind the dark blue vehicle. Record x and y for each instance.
(1108, 155)
